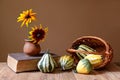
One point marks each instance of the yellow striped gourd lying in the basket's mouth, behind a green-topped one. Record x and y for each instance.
(95, 60)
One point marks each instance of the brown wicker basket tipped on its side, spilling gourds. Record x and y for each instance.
(100, 45)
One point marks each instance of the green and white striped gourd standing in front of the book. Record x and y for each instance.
(47, 63)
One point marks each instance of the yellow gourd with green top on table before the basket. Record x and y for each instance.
(84, 66)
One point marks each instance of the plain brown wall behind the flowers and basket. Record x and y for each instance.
(66, 19)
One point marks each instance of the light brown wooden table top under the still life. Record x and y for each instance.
(111, 72)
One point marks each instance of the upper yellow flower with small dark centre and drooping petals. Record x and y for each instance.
(26, 17)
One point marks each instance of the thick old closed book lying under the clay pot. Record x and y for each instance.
(20, 62)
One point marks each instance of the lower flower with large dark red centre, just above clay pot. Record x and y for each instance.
(37, 34)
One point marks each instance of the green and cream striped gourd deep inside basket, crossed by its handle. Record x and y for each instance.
(86, 48)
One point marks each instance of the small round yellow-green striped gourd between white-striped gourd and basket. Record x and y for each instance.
(66, 62)
